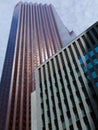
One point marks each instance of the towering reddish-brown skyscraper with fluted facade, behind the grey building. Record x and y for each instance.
(36, 34)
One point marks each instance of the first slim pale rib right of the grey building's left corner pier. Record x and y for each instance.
(45, 108)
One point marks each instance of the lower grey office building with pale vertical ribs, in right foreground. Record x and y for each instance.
(66, 93)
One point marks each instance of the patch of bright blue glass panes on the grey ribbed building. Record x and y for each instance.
(90, 64)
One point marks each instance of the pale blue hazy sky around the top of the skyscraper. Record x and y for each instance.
(77, 15)
